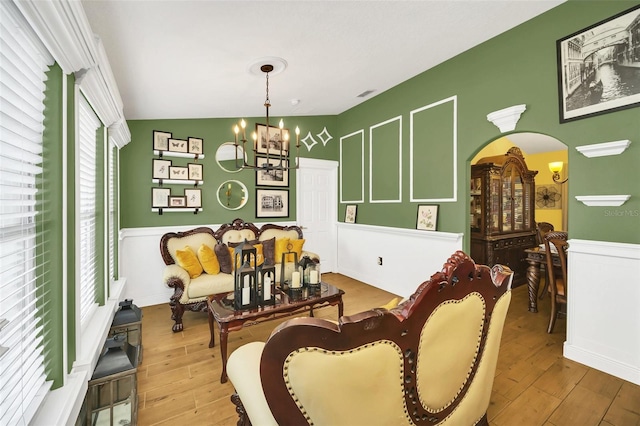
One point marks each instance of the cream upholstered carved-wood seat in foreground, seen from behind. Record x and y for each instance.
(430, 360)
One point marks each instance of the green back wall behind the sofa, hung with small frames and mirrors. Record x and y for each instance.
(136, 173)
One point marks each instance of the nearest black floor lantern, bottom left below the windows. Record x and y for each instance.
(112, 398)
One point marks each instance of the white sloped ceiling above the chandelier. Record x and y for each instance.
(191, 59)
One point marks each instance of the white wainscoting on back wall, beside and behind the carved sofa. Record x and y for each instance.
(142, 264)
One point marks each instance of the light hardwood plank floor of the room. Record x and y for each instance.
(179, 378)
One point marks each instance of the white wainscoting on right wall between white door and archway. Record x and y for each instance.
(409, 256)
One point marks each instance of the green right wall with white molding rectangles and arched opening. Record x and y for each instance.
(517, 67)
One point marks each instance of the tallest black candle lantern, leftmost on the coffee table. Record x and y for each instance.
(245, 277)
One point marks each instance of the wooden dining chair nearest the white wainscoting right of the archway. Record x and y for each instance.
(557, 281)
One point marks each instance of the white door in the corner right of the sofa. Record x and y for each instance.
(317, 208)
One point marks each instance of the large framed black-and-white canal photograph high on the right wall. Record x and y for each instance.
(598, 68)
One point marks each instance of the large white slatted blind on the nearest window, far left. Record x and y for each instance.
(23, 65)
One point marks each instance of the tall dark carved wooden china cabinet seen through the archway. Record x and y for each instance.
(502, 212)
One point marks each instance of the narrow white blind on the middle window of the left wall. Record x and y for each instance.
(88, 124)
